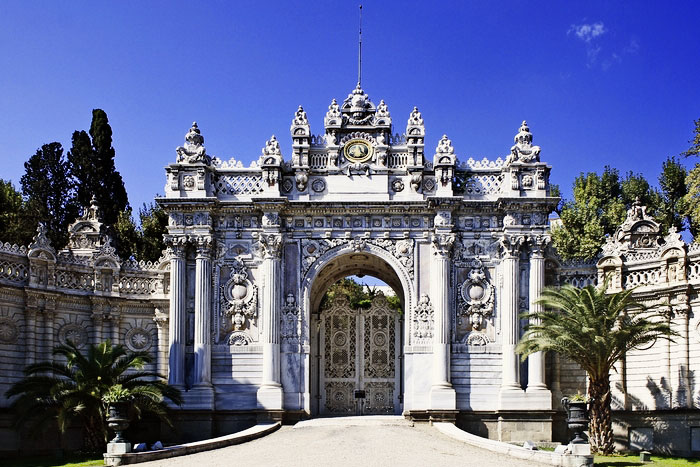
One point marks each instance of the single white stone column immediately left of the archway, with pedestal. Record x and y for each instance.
(270, 394)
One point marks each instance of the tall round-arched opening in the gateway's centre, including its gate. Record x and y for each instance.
(357, 335)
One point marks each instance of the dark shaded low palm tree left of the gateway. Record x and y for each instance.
(75, 390)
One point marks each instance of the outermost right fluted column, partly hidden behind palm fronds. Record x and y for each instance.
(535, 364)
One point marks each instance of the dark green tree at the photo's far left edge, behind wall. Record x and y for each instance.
(15, 225)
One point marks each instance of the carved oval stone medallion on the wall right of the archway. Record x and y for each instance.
(476, 296)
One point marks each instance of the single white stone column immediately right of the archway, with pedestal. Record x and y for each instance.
(442, 394)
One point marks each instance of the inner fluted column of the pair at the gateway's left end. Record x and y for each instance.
(202, 313)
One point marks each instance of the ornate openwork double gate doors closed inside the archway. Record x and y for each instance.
(359, 352)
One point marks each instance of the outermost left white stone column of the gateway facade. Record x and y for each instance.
(176, 334)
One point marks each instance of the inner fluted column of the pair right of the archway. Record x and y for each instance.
(510, 378)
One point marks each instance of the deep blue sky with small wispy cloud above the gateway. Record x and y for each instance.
(600, 82)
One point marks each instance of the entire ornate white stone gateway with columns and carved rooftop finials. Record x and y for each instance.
(253, 249)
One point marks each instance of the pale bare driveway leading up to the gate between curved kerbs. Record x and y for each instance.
(420, 445)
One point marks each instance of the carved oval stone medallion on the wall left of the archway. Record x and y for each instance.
(239, 297)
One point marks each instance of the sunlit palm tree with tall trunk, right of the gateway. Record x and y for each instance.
(594, 329)
